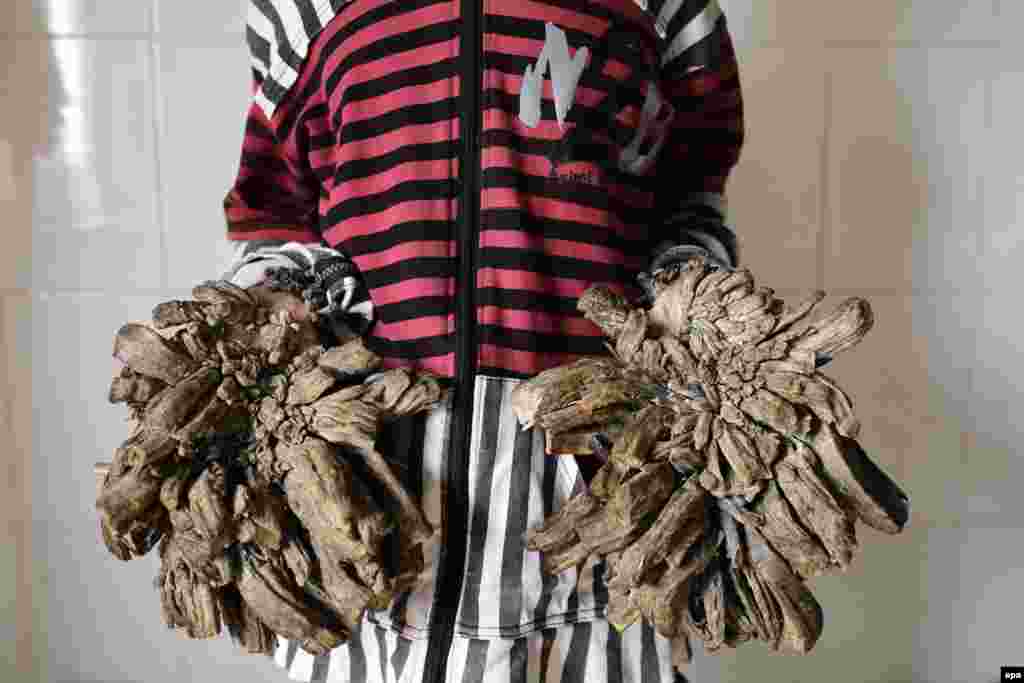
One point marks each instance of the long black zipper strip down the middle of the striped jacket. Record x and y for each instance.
(455, 502)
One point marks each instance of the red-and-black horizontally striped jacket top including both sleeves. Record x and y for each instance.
(482, 185)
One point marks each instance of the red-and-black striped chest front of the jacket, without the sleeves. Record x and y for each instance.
(558, 182)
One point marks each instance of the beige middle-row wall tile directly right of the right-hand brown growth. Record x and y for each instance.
(908, 381)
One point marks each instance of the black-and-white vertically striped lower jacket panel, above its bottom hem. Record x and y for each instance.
(513, 486)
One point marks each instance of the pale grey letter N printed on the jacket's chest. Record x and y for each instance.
(566, 74)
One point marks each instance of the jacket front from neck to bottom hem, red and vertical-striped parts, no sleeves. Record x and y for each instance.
(560, 100)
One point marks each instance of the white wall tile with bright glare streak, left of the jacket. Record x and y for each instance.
(95, 187)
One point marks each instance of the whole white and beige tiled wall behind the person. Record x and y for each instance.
(883, 160)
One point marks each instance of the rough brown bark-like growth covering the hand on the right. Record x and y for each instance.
(734, 473)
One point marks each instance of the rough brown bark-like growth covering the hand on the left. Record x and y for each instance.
(251, 464)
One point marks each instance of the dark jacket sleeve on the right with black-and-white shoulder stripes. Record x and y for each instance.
(700, 78)
